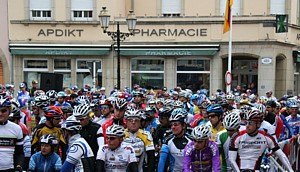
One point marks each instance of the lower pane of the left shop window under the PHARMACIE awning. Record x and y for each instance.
(148, 80)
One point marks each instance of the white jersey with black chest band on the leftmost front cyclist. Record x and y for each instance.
(10, 136)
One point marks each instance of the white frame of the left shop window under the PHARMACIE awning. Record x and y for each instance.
(139, 71)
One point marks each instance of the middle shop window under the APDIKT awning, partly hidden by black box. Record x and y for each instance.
(63, 66)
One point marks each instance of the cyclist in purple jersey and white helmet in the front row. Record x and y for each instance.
(201, 154)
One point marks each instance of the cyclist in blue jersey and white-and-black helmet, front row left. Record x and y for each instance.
(46, 159)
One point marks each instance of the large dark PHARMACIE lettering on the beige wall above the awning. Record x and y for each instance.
(171, 32)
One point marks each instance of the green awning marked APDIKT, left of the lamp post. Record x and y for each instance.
(59, 49)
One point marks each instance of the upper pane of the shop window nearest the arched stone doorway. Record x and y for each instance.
(193, 65)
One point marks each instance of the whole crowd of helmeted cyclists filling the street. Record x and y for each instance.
(142, 130)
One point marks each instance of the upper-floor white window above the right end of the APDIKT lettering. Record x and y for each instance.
(82, 10)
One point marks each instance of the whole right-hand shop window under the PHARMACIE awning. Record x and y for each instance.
(193, 74)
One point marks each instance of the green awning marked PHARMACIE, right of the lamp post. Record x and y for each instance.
(168, 50)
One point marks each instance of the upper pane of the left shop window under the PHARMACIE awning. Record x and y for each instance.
(147, 65)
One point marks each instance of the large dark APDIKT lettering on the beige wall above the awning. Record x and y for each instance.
(60, 32)
